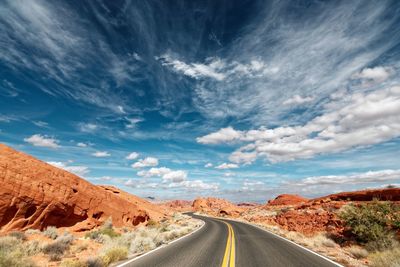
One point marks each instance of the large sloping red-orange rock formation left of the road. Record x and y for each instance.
(34, 194)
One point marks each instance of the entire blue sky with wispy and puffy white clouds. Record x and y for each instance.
(177, 99)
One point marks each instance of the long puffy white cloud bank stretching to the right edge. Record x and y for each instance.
(361, 119)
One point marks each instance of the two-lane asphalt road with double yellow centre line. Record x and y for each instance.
(230, 243)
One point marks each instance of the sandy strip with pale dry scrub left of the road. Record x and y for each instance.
(97, 248)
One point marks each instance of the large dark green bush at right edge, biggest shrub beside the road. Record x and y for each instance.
(371, 223)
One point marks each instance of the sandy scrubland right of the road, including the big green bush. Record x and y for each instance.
(370, 237)
